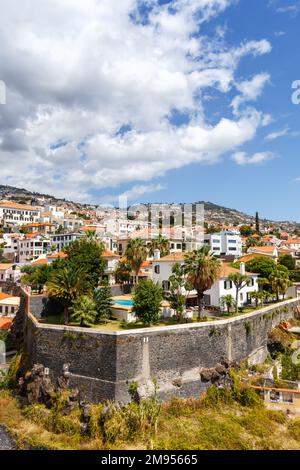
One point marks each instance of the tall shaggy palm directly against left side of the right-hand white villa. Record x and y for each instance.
(202, 269)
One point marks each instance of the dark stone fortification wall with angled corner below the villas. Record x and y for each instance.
(103, 364)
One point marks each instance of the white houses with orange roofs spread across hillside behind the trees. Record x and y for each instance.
(38, 235)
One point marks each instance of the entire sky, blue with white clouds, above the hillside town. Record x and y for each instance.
(156, 100)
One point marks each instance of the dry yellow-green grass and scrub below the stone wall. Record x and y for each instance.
(190, 424)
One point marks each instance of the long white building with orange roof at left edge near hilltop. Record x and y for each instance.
(12, 214)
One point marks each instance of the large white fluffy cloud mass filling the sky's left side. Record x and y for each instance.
(91, 88)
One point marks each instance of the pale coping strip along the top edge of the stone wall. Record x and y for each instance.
(163, 329)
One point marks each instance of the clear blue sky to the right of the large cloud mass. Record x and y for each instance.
(270, 187)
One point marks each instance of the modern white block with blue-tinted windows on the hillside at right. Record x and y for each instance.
(224, 243)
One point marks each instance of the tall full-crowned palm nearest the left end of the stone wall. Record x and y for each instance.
(65, 285)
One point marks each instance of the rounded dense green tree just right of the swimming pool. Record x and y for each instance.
(147, 302)
